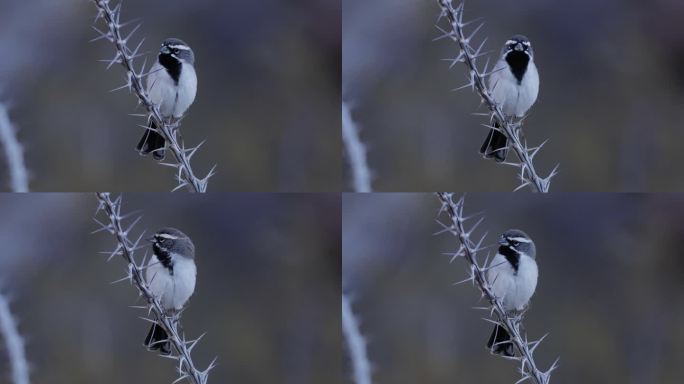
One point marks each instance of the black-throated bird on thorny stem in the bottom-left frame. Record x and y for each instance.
(171, 275)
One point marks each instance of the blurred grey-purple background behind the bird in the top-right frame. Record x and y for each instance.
(610, 100)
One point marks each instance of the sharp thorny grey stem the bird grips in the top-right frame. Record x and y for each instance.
(468, 55)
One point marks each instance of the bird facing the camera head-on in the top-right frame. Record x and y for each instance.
(514, 85)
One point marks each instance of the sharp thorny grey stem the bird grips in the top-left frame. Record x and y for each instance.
(169, 130)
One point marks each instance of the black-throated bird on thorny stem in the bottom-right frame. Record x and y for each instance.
(512, 275)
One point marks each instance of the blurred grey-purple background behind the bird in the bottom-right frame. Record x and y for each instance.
(610, 291)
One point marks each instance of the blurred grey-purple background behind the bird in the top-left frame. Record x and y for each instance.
(268, 101)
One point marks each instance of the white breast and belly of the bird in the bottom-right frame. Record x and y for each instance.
(513, 289)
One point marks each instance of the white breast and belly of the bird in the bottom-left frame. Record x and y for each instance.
(174, 290)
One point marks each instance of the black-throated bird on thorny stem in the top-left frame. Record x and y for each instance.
(172, 87)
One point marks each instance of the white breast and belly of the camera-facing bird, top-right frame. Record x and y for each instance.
(515, 99)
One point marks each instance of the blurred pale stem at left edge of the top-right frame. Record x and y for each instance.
(356, 152)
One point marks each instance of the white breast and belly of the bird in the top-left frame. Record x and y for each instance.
(172, 100)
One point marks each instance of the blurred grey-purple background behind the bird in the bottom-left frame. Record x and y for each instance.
(268, 288)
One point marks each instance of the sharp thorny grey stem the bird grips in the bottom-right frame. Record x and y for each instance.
(468, 249)
